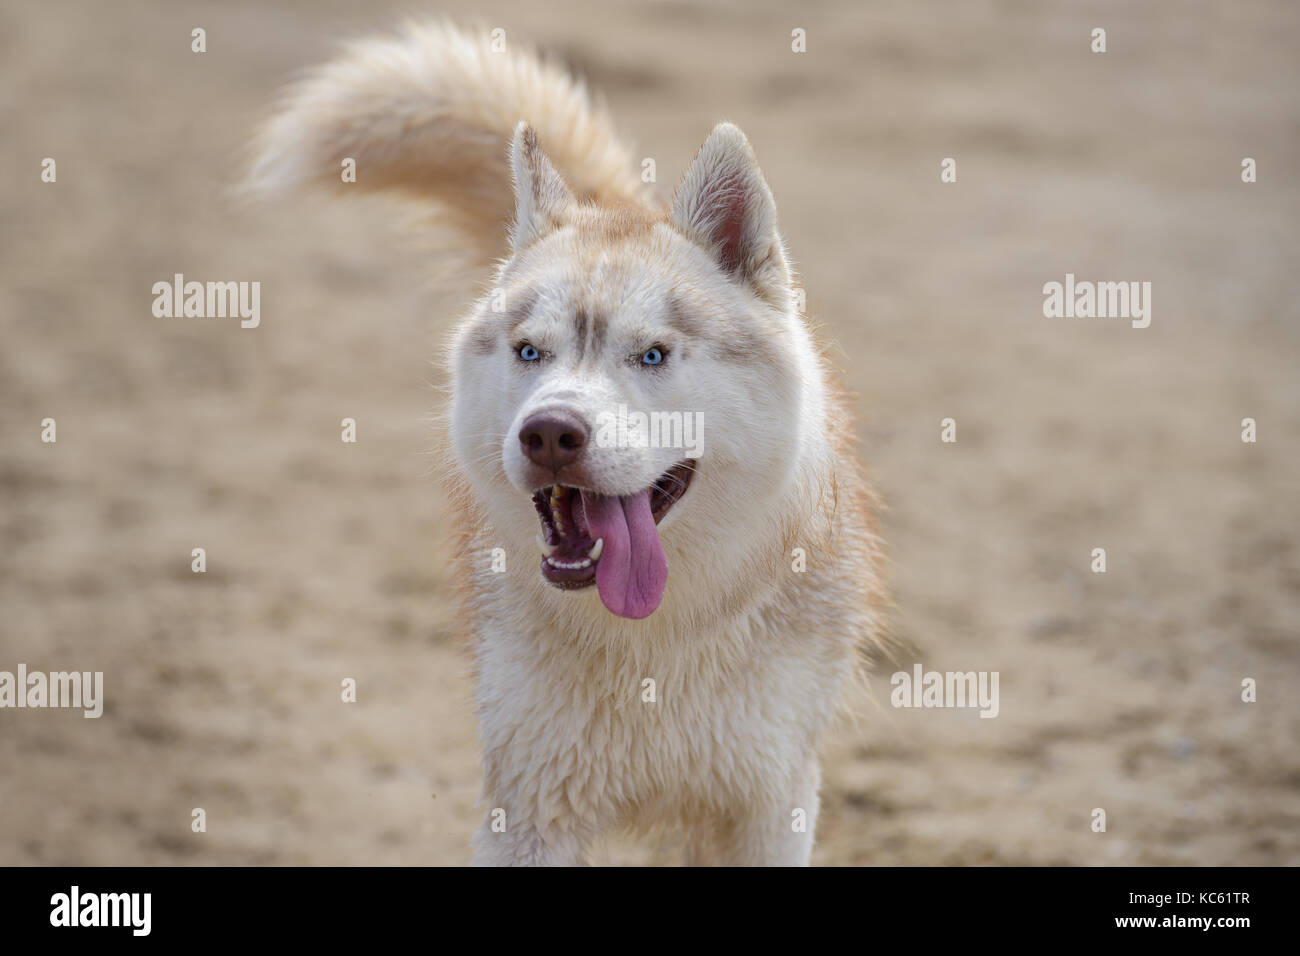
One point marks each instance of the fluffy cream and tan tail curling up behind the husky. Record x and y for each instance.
(431, 114)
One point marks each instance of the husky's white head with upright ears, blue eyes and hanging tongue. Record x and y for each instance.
(632, 386)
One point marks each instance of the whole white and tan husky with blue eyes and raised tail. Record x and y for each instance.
(674, 630)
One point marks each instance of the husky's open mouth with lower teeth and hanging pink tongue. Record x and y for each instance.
(610, 540)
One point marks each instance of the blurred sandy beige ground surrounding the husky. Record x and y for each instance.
(1119, 691)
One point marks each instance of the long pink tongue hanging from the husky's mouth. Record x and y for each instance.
(632, 569)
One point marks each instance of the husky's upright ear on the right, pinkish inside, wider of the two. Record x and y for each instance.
(725, 205)
